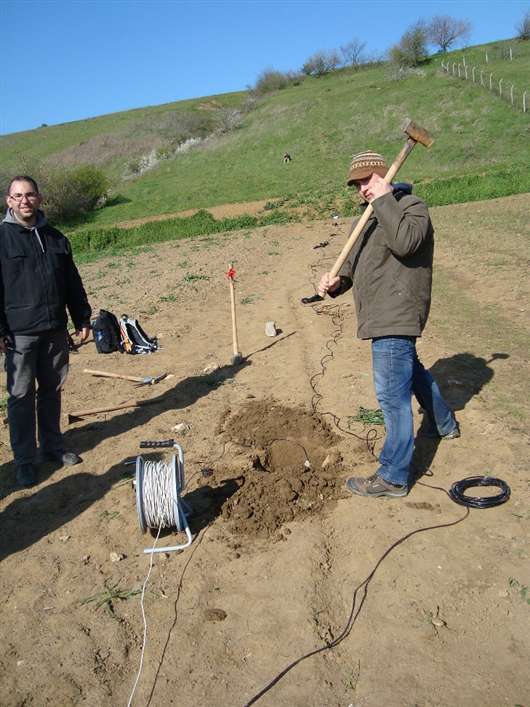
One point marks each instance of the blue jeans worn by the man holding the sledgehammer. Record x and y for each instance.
(398, 373)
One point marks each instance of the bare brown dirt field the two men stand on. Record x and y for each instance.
(280, 546)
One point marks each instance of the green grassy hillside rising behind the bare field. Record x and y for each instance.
(480, 150)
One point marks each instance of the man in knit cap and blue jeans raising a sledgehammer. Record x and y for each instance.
(390, 271)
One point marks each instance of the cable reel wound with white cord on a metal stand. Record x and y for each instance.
(158, 494)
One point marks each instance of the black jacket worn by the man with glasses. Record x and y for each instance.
(38, 280)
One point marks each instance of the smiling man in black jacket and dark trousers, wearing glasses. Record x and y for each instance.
(38, 282)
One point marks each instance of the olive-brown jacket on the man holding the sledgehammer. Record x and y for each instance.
(390, 268)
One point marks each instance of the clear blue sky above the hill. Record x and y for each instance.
(66, 60)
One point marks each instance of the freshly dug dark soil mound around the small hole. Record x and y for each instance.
(290, 469)
